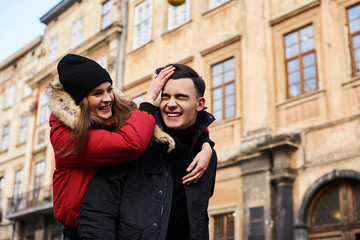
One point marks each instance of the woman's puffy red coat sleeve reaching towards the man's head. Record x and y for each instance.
(104, 147)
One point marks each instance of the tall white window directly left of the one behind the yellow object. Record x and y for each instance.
(142, 23)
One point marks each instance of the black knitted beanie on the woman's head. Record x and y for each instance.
(79, 75)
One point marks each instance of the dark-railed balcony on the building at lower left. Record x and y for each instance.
(38, 201)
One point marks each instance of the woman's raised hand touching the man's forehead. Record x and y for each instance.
(158, 83)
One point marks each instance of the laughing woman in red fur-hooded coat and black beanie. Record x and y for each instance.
(92, 125)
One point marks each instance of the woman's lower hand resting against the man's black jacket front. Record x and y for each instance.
(200, 162)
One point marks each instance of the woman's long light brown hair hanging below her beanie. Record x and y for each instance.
(122, 109)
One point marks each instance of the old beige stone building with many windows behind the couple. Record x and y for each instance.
(283, 81)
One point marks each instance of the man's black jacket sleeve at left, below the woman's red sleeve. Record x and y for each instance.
(98, 217)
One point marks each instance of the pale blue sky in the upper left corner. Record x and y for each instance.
(20, 23)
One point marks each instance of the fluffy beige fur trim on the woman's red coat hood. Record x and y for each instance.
(64, 108)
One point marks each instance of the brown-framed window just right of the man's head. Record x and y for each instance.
(223, 89)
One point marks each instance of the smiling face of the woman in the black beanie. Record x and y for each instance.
(101, 100)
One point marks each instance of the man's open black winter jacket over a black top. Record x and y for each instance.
(146, 196)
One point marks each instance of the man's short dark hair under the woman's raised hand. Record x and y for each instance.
(184, 71)
